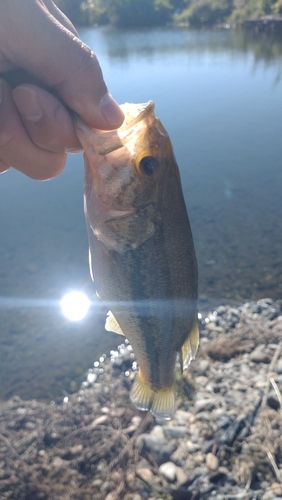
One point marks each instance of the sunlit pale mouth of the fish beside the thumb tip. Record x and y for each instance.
(105, 142)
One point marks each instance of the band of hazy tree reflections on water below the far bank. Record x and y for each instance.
(125, 45)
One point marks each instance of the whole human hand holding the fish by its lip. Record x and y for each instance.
(60, 73)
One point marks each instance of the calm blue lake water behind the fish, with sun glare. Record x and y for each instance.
(219, 95)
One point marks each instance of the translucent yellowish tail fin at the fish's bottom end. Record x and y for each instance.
(160, 402)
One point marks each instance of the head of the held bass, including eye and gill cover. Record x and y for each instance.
(124, 174)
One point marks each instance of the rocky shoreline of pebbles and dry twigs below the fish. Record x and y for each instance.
(225, 441)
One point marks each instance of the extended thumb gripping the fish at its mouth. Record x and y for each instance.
(39, 43)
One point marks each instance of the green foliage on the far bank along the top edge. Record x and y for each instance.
(137, 13)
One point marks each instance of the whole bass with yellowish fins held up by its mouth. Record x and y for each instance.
(141, 251)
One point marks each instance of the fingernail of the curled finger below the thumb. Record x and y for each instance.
(27, 103)
